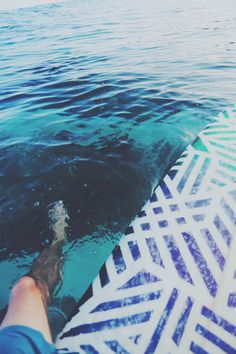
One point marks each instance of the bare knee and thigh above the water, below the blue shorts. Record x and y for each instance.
(26, 308)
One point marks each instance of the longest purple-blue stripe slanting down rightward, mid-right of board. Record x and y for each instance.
(201, 263)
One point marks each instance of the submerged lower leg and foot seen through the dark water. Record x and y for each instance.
(46, 269)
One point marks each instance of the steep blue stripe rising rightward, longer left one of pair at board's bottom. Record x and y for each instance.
(162, 323)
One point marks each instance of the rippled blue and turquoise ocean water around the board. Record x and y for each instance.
(97, 101)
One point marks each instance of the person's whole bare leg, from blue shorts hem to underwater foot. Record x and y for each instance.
(30, 296)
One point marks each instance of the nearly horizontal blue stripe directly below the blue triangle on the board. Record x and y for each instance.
(128, 301)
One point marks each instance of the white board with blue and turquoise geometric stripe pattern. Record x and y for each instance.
(170, 285)
